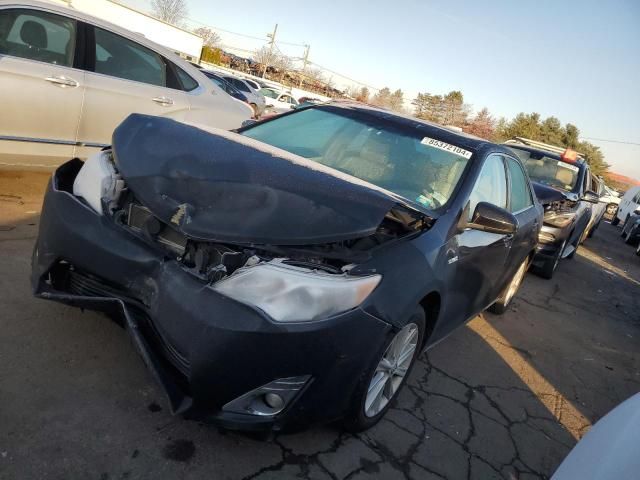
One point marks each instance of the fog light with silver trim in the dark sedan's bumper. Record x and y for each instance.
(270, 399)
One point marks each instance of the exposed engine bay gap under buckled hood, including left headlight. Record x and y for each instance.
(213, 261)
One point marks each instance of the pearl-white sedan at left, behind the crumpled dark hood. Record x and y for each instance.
(68, 79)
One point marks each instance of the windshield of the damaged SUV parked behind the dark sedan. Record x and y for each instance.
(549, 171)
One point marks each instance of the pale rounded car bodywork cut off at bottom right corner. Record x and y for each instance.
(609, 451)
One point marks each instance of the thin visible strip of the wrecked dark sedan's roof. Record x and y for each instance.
(411, 123)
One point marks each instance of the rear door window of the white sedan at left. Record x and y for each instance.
(119, 57)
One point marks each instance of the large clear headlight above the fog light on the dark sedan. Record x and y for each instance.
(293, 294)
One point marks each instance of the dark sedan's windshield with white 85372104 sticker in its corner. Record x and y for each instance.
(370, 150)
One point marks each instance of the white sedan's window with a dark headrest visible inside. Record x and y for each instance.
(39, 36)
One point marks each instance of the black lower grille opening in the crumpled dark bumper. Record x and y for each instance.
(90, 286)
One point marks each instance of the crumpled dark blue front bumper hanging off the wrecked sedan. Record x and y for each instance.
(205, 349)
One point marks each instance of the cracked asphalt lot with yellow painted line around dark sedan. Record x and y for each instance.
(503, 397)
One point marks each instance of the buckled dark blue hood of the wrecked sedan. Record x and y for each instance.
(229, 188)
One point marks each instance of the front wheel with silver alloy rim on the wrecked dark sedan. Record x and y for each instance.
(379, 388)
